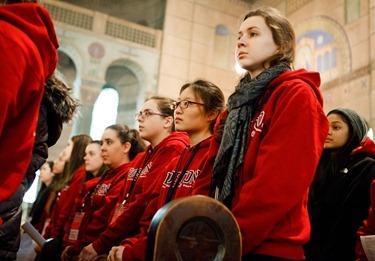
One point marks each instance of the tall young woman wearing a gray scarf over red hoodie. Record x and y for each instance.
(273, 135)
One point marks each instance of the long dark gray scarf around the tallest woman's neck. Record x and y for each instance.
(242, 106)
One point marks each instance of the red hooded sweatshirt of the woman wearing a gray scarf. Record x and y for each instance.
(284, 145)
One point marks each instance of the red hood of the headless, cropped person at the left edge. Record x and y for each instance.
(35, 21)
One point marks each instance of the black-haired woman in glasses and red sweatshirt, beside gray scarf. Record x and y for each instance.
(196, 110)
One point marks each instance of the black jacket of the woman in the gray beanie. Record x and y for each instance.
(338, 208)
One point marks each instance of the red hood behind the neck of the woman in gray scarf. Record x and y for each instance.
(309, 77)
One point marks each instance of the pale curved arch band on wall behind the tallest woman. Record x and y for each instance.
(341, 47)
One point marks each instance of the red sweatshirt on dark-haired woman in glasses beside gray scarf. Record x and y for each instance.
(191, 162)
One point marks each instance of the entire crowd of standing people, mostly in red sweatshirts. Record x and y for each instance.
(299, 182)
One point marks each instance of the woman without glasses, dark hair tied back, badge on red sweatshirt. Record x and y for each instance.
(120, 145)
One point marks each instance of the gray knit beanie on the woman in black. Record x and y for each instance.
(355, 120)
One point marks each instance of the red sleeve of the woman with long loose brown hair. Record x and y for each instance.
(66, 202)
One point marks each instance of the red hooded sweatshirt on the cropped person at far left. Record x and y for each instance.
(28, 46)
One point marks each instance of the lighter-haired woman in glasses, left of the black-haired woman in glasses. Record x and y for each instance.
(156, 125)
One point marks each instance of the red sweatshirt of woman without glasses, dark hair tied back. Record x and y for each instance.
(97, 206)
